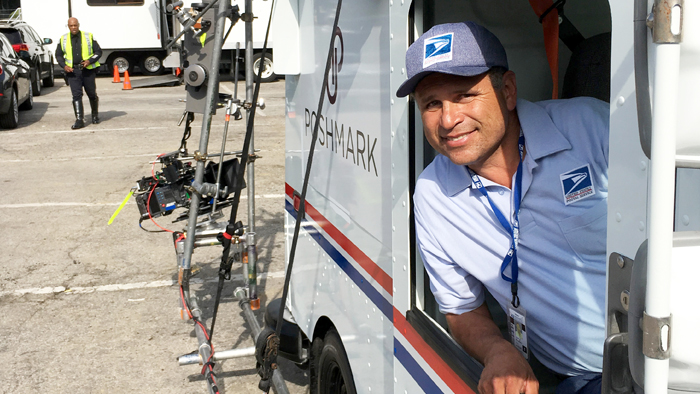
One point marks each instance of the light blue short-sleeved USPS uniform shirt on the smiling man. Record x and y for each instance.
(563, 218)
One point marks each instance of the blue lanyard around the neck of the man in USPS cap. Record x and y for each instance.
(511, 257)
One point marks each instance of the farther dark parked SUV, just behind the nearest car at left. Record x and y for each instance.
(24, 38)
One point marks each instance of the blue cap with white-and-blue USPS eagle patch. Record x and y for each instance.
(465, 49)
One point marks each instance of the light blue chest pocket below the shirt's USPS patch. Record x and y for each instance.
(586, 233)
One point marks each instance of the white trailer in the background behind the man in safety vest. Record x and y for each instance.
(133, 32)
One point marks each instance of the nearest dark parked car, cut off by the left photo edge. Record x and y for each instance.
(15, 84)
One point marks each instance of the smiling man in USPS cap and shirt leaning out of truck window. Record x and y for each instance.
(516, 204)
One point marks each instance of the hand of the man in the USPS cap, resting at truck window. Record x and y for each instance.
(507, 372)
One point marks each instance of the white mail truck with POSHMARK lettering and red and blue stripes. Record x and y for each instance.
(359, 292)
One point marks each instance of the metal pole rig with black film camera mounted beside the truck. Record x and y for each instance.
(203, 185)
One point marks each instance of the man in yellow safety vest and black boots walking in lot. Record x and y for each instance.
(78, 54)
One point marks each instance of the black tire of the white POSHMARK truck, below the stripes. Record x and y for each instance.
(334, 375)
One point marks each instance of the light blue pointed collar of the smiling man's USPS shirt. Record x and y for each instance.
(542, 138)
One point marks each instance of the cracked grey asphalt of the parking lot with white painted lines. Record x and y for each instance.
(88, 307)
